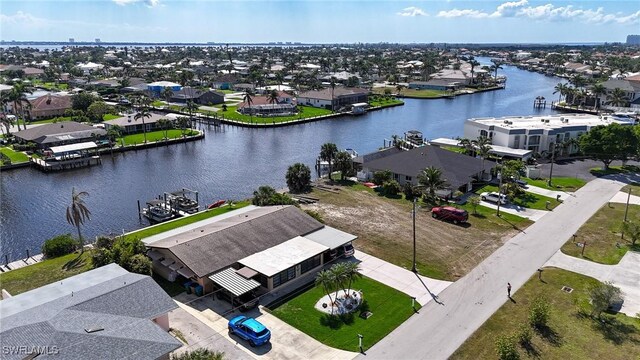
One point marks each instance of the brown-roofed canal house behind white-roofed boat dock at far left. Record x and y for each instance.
(60, 133)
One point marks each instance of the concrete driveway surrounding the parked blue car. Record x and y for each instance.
(286, 342)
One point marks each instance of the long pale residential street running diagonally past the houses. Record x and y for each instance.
(441, 327)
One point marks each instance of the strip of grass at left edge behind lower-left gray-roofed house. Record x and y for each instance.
(45, 272)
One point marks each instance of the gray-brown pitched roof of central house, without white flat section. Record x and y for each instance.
(215, 246)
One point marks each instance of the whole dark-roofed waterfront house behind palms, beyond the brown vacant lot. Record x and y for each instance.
(458, 170)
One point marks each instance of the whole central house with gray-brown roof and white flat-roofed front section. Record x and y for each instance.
(250, 249)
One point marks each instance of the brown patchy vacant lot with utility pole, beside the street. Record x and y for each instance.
(384, 229)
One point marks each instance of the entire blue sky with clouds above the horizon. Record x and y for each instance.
(319, 21)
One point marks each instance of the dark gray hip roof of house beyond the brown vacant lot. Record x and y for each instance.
(456, 168)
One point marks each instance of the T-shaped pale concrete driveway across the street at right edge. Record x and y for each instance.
(625, 275)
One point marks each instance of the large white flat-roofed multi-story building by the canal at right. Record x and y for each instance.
(538, 133)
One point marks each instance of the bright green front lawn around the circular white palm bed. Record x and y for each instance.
(390, 308)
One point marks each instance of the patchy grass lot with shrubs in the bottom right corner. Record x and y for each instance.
(571, 334)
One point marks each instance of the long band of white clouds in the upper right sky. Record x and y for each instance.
(547, 12)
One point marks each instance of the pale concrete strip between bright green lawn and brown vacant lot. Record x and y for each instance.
(424, 289)
